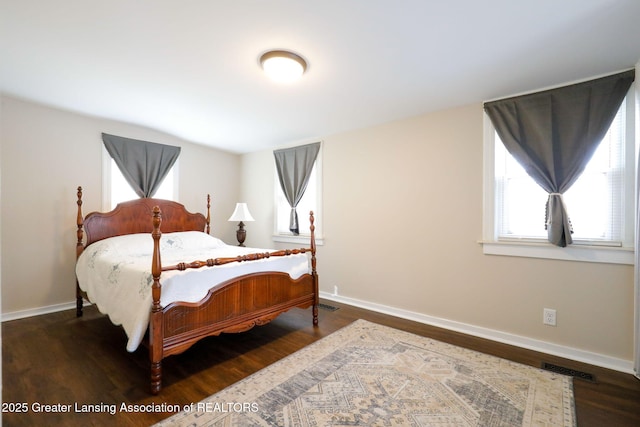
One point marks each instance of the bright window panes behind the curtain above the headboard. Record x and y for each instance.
(116, 189)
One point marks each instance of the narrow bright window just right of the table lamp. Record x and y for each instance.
(311, 201)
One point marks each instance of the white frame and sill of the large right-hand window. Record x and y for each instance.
(586, 251)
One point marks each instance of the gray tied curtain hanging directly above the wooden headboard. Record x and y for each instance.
(144, 164)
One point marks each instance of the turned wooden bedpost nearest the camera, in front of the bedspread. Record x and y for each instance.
(155, 324)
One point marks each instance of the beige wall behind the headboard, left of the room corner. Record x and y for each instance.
(46, 154)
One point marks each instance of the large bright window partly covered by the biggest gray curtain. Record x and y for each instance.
(600, 203)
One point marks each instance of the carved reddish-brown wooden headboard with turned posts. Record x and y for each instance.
(136, 216)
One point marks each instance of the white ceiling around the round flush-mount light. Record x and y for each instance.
(190, 68)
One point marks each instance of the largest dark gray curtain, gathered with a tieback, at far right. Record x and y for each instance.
(553, 135)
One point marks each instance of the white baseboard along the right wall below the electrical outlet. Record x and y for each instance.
(596, 359)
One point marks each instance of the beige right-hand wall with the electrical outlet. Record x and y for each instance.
(402, 218)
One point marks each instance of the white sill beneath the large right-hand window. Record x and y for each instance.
(580, 253)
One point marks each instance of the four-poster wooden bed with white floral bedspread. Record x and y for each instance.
(214, 288)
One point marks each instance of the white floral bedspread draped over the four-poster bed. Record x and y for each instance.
(116, 274)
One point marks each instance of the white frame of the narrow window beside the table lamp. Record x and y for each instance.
(305, 234)
